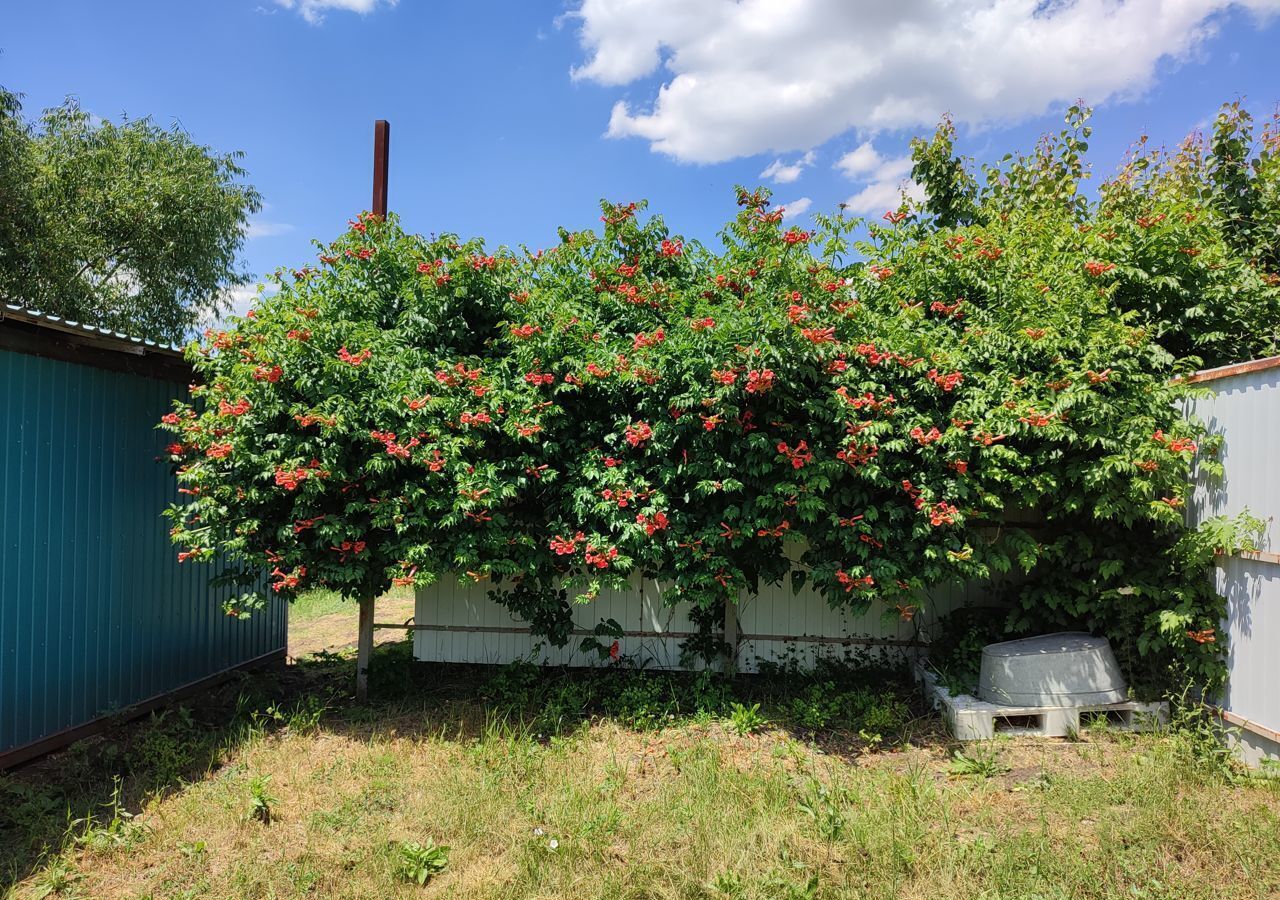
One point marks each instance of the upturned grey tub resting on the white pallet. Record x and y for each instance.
(1071, 669)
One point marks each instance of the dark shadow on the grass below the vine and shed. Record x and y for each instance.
(76, 794)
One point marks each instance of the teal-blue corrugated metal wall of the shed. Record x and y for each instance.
(95, 613)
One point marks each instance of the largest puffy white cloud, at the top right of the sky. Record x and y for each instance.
(744, 77)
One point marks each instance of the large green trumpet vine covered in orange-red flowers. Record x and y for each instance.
(872, 417)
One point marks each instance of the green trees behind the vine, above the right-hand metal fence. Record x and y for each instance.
(1192, 236)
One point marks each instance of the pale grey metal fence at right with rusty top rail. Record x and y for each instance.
(1246, 410)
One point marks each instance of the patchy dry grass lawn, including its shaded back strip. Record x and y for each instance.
(623, 785)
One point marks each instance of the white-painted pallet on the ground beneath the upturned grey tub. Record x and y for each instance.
(971, 719)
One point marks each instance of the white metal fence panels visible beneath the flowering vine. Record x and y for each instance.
(778, 625)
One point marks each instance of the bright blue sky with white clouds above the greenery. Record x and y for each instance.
(513, 118)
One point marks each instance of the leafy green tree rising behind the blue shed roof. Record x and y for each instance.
(129, 226)
